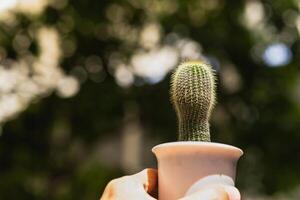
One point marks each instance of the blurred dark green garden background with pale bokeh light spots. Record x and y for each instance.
(84, 90)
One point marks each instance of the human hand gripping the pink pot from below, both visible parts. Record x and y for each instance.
(143, 186)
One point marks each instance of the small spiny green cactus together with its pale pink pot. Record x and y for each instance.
(183, 163)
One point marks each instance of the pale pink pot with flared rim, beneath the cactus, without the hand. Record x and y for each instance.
(181, 164)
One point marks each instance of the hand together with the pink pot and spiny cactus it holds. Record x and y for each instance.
(193, 167)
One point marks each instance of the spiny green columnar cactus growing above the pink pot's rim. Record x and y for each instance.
(193, 97)
